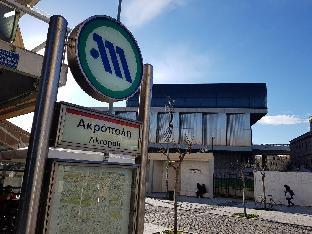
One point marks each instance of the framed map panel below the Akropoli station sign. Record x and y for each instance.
(90, 198)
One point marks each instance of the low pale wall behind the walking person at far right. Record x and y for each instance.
(299, 182)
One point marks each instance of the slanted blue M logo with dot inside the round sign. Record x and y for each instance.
(105, 46)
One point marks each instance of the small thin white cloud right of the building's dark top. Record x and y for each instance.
(282, 120)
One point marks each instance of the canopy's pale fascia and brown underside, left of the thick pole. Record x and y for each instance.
(18, 89)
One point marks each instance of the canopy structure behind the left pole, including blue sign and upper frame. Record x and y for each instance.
(20, 69)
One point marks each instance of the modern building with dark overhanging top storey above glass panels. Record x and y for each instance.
(216, 117)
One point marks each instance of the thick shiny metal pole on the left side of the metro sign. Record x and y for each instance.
(39, 139)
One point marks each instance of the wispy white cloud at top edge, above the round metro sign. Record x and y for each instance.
(138, 12)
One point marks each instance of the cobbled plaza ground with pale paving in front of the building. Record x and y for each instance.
(214, 218)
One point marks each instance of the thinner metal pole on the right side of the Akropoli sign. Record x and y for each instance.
(144, 109)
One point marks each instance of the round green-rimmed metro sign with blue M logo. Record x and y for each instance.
(105, 59)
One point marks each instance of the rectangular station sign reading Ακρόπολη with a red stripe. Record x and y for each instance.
(85, 129)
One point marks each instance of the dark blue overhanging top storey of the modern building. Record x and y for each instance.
(251, 96)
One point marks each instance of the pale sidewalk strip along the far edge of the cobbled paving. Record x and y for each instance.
(227, 207)
